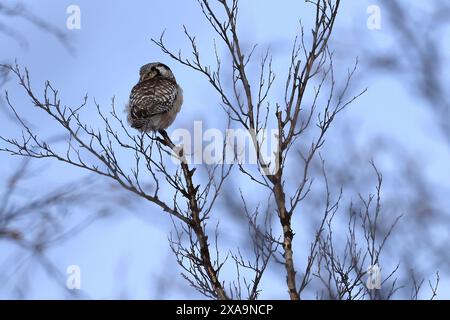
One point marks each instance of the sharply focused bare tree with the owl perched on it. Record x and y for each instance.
(313, 99)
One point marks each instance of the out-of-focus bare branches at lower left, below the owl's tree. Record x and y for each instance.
(31, 223)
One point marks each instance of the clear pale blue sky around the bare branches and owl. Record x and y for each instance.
(113, 42)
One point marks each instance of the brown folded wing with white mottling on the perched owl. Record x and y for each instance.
(152, 97)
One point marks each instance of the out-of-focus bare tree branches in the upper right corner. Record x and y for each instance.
(418, 53)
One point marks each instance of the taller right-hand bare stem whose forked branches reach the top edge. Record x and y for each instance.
(251, 110)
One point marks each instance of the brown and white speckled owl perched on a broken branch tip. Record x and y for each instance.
(155, 100)
